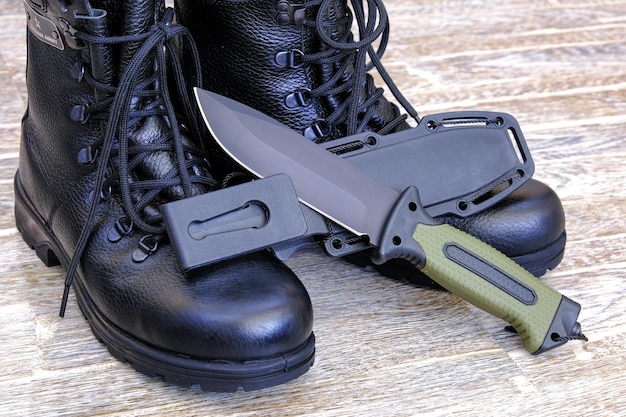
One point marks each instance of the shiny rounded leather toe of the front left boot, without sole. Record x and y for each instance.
(247, 308)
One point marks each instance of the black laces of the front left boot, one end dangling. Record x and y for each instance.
(116, 157)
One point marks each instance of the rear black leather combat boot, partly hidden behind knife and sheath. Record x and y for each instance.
(299, 63)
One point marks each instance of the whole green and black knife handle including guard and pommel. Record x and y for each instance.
(480, 274)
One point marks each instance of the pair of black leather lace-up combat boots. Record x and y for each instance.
(111, 133)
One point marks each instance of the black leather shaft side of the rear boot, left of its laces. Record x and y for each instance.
(239, 43)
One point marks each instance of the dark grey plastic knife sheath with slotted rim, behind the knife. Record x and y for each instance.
(461, 162)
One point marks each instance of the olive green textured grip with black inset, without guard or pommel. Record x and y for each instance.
(480, 274)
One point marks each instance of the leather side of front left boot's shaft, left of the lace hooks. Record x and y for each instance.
(54, 128)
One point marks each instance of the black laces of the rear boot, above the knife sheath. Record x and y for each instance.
(350, 56)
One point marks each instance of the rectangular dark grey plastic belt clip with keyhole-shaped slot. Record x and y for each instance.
(233, 221)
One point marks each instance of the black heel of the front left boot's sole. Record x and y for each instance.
(33, 231)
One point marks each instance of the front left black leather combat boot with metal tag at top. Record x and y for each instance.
(102, 149)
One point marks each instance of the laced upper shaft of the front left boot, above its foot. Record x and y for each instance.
(85, 85)
